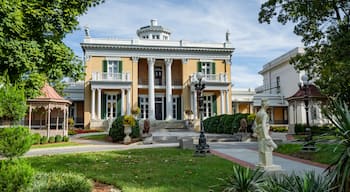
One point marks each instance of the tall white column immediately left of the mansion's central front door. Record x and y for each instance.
(151, 111)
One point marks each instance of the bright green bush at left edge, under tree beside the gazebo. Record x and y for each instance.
(13, 105)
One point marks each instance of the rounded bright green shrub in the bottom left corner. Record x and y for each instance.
(15, 175)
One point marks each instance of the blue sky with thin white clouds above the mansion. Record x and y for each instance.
(196, 21)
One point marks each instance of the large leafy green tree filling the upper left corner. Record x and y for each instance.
(31, 46)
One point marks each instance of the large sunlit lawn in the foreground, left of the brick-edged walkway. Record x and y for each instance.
(146, 170)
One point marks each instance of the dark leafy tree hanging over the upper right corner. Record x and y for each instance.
(325, 30)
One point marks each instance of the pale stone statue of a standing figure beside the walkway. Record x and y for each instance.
(265, 143)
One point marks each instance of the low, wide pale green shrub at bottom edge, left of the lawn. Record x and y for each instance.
(60, 182)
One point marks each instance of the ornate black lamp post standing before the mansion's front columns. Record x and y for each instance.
(202, 148)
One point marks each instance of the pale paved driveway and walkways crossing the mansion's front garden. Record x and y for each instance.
(244, 153)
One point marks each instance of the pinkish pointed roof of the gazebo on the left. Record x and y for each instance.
(49, 94)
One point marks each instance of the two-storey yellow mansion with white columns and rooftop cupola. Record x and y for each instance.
(153, 73)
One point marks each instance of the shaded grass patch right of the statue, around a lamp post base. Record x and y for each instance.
(326, 153)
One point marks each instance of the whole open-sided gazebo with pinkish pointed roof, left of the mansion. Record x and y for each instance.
(54, 107)
